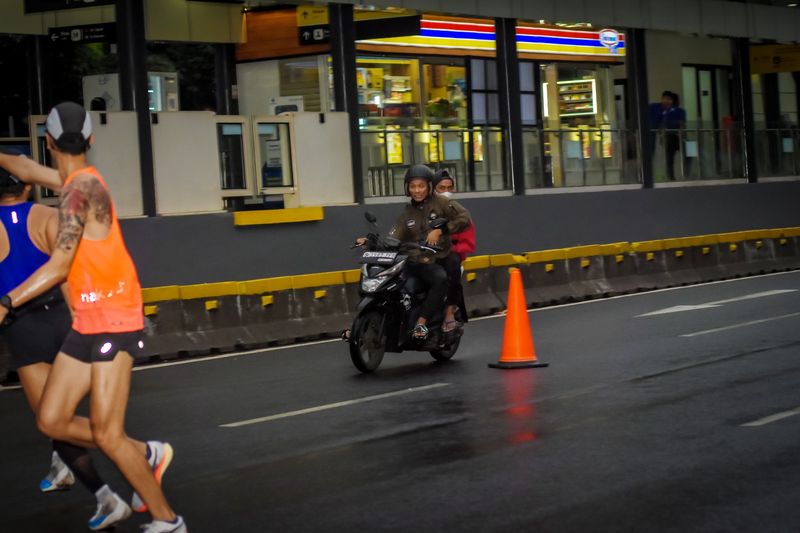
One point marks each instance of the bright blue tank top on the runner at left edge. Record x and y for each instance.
(23, 257)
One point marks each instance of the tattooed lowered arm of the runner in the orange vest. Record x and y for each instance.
(72, 214)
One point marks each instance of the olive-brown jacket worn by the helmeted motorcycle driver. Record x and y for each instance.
(413, 224)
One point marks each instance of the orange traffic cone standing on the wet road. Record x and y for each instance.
(518, 350)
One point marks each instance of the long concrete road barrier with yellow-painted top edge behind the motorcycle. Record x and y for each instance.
(218, 317)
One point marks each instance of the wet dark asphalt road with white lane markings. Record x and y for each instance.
(680, 421)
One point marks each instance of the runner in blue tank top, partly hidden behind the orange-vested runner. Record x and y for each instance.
(36, 330)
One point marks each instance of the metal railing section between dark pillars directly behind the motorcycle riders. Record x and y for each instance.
(473, 156)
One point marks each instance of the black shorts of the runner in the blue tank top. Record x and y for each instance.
(36, 332)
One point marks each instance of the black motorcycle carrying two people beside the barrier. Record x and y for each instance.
(390, 305)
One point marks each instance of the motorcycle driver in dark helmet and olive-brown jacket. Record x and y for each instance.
(414, 225)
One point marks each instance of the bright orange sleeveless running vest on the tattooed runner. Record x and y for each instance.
(103, 285)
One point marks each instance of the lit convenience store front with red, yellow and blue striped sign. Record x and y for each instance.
(433, 97)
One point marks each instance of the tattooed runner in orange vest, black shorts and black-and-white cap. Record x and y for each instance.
(108, 322)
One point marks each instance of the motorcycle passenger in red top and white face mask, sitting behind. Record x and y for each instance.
(463, 243)
